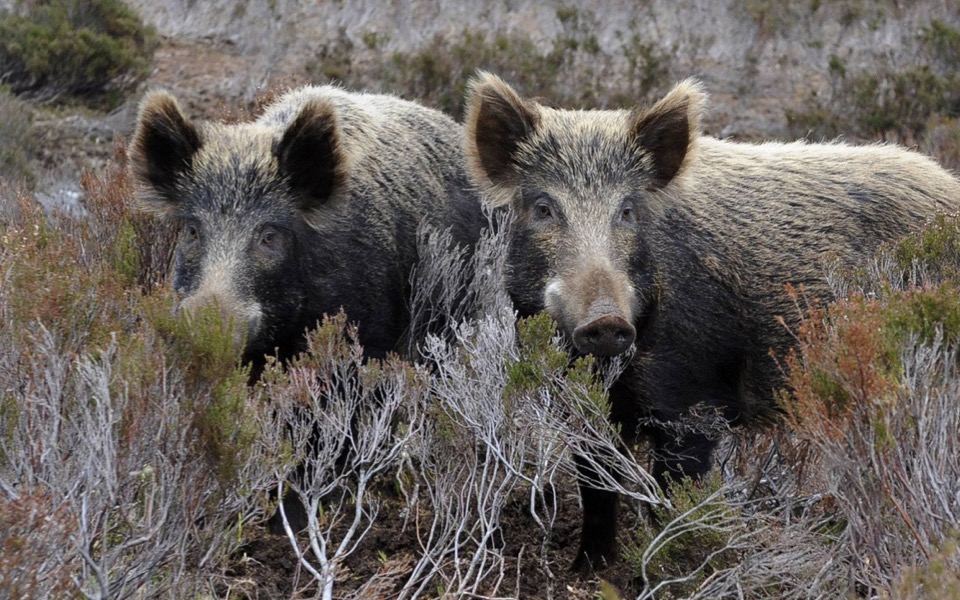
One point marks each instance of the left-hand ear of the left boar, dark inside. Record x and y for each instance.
(163, 147)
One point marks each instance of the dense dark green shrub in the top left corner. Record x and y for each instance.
(89, 50)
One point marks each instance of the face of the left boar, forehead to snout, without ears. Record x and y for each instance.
(239, 249)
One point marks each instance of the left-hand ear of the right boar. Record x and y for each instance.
(497, 121)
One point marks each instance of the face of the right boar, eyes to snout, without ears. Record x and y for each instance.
(570, 254)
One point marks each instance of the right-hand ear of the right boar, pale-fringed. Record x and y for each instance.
(668, 131)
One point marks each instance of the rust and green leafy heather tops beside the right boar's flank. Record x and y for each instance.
(852, 349)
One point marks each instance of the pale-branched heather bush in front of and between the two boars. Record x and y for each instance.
(486, 424)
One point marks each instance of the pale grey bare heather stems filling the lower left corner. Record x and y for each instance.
(129, 507)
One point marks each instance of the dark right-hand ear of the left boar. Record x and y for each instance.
(310, 157)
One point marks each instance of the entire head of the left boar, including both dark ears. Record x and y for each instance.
(242, 196)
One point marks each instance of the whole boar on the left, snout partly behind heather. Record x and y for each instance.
(341, 180)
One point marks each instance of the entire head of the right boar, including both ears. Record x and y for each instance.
(583, 186)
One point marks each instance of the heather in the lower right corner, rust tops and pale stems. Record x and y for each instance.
(860, 502)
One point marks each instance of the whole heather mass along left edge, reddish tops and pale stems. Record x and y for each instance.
(106, 489)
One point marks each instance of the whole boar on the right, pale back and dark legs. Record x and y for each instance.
(631, 226)
